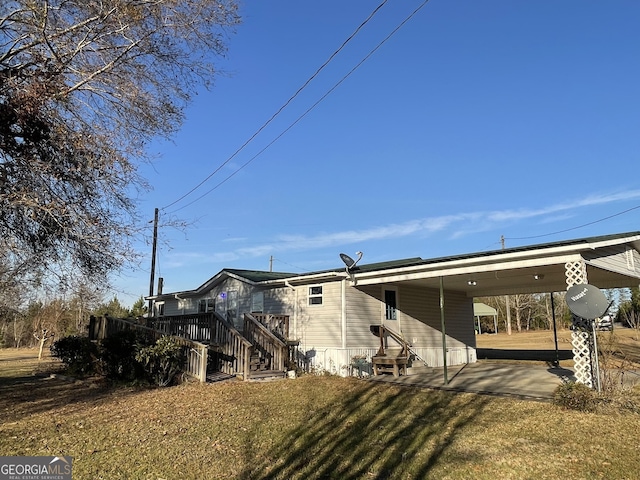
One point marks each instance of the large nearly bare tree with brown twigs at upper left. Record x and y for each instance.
(84, 86)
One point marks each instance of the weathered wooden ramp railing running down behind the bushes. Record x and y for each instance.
(195, 352)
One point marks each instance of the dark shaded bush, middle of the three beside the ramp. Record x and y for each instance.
(118, 355)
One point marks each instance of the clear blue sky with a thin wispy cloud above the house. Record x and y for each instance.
(476, 119)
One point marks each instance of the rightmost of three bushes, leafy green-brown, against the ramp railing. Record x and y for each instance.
(162, 361)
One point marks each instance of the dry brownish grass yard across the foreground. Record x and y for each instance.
(310, 427)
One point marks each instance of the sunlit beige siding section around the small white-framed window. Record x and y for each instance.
(320, 326)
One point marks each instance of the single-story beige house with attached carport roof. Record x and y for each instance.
(428, 302)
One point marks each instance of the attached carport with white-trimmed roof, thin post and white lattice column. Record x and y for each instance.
(610, 261)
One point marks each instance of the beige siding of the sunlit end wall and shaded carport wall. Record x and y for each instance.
(418, 320)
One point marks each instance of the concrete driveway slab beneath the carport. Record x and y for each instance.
(532, 382)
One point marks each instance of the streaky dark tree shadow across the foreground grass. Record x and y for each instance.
(376, 432)
